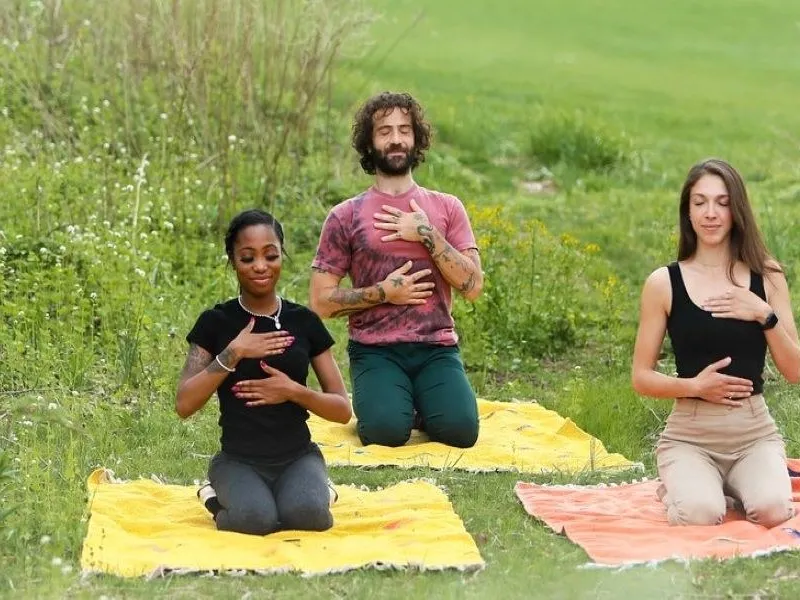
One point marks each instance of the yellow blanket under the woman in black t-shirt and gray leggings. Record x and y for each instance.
(147, 528)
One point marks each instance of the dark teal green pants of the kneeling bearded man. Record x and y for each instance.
(389, 382)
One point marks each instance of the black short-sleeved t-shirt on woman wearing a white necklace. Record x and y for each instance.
(276, 431)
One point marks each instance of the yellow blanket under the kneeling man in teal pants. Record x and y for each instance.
(521, 437)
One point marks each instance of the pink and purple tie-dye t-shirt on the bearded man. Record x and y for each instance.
(351, 245)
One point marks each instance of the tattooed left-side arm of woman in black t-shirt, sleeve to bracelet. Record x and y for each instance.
(200, 378)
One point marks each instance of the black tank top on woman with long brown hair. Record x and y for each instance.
(699, 339)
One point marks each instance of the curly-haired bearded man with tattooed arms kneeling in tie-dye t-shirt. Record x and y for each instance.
(404, 248)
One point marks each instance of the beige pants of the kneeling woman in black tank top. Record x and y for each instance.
(709, 451)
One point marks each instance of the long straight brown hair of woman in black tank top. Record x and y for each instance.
(746, 243)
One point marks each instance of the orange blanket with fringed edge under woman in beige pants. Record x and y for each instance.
(627, 523)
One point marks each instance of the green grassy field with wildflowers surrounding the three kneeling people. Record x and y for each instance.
(107, 258)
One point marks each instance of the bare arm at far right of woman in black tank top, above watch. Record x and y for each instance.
(782, 339)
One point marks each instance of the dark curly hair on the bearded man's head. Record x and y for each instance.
(384, 103)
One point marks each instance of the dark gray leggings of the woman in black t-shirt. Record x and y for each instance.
(258, 497)
